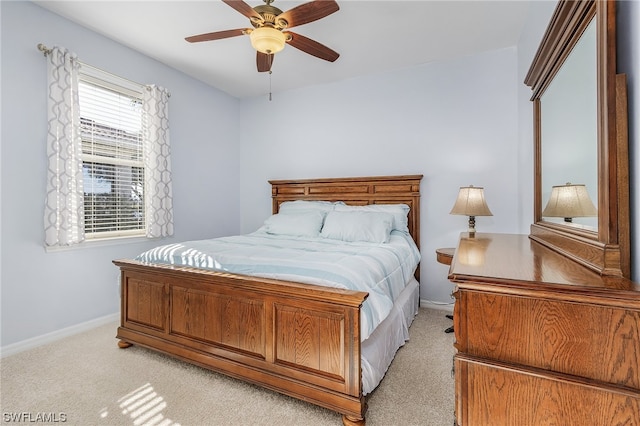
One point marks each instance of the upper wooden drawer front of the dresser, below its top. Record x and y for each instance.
(593, 341)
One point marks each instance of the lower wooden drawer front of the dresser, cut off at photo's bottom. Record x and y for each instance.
(496, 394)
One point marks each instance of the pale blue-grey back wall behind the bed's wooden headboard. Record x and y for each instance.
(455, 122)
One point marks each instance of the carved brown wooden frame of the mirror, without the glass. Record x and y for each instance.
(606, 251)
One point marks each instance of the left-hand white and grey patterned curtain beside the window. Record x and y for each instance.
(64, 203)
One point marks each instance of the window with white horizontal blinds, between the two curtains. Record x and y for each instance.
(112, 155)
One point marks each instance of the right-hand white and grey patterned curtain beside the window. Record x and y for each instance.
(156, 148)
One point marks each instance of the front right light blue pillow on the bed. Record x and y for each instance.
(373, 227)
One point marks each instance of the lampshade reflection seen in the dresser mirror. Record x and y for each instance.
(569, 201)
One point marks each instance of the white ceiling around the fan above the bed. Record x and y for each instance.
(371, 37)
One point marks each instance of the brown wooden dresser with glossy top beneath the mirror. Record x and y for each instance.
(540, 339)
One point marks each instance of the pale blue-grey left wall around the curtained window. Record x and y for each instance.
(44, 292)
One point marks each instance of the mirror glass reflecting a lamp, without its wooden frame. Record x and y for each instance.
(569, 135)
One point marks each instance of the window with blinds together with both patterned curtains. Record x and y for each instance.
(108, 147)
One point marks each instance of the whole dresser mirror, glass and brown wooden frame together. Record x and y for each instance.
(580, 137)
